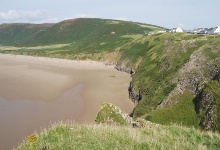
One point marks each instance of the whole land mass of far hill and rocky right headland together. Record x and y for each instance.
(177, 75)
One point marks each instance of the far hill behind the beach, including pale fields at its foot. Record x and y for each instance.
(80, 37)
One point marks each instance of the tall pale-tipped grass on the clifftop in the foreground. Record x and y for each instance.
(72, 136)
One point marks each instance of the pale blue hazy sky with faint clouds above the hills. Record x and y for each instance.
(187, 14)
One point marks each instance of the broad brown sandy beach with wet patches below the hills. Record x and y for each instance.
(36, 92)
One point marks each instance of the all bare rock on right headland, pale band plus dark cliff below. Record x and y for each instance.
(196, 77)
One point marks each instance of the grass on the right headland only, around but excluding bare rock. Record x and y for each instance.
(164, 57)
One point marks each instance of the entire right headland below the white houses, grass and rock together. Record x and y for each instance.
(177, 78)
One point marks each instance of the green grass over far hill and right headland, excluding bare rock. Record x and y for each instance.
(156, 58)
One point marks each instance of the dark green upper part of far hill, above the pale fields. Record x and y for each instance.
(68, 31)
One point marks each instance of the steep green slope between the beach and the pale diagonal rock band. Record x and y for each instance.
(162, 60)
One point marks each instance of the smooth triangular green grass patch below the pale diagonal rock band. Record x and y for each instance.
(182, 112)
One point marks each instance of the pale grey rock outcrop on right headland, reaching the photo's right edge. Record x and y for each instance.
(193, 75)
